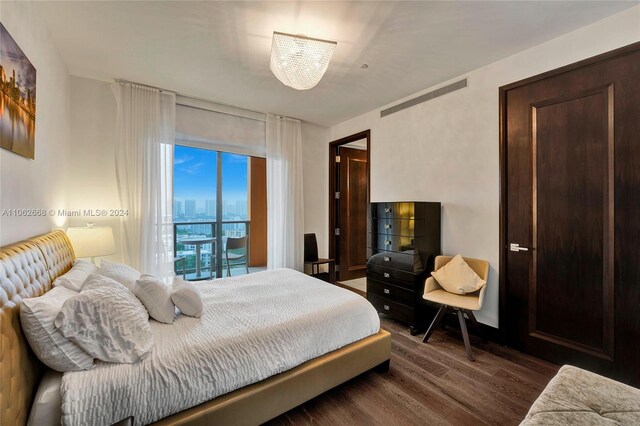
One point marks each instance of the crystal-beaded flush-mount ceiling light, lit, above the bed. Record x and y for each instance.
(299, 61)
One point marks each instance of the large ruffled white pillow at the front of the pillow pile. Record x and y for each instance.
(107, 321)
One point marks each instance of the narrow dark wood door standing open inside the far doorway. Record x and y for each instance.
(352, 213)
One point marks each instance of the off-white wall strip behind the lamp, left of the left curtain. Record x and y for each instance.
(92, 185)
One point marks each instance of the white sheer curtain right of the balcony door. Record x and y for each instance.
(285, 227)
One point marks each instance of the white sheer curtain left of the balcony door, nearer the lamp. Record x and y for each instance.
(145, 133)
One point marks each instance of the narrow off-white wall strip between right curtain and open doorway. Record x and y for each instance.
(315, 153)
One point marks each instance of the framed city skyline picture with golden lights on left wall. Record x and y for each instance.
(17, 98)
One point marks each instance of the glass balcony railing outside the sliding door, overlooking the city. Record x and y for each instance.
(197, 243)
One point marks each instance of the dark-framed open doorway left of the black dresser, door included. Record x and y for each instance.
(349, 204)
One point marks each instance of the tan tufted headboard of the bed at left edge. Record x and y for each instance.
(27, 269)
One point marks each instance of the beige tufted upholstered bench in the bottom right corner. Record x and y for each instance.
(579, 397)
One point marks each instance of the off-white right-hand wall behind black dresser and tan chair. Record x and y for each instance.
(447, 149)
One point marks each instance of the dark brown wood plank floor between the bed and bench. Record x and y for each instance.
(433, 384)
